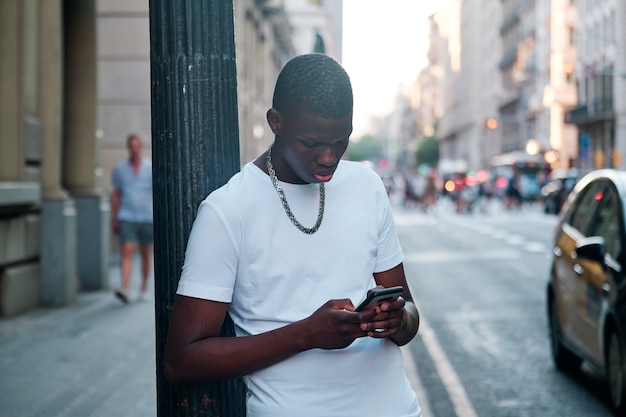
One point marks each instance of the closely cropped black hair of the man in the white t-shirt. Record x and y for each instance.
(315, 83)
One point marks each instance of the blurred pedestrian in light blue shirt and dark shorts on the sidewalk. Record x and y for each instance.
(131, 215)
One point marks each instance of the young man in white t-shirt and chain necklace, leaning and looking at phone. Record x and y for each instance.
(288, 248)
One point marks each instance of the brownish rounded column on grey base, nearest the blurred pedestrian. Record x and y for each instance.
(80, 152)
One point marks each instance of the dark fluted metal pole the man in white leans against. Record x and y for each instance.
(195, 150)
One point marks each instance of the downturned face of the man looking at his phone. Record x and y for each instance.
(311, 147)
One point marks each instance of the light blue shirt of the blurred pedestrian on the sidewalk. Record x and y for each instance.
(135, 190)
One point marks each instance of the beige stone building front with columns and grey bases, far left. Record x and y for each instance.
(53, 214)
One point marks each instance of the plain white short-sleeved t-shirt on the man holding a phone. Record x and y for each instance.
(244, 250)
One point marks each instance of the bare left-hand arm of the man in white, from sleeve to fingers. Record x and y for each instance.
(195, 353)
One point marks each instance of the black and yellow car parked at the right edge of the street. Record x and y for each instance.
(586, 292)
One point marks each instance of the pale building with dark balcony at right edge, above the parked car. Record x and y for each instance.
(600, 75)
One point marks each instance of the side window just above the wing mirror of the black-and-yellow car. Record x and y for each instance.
(608, 222)
